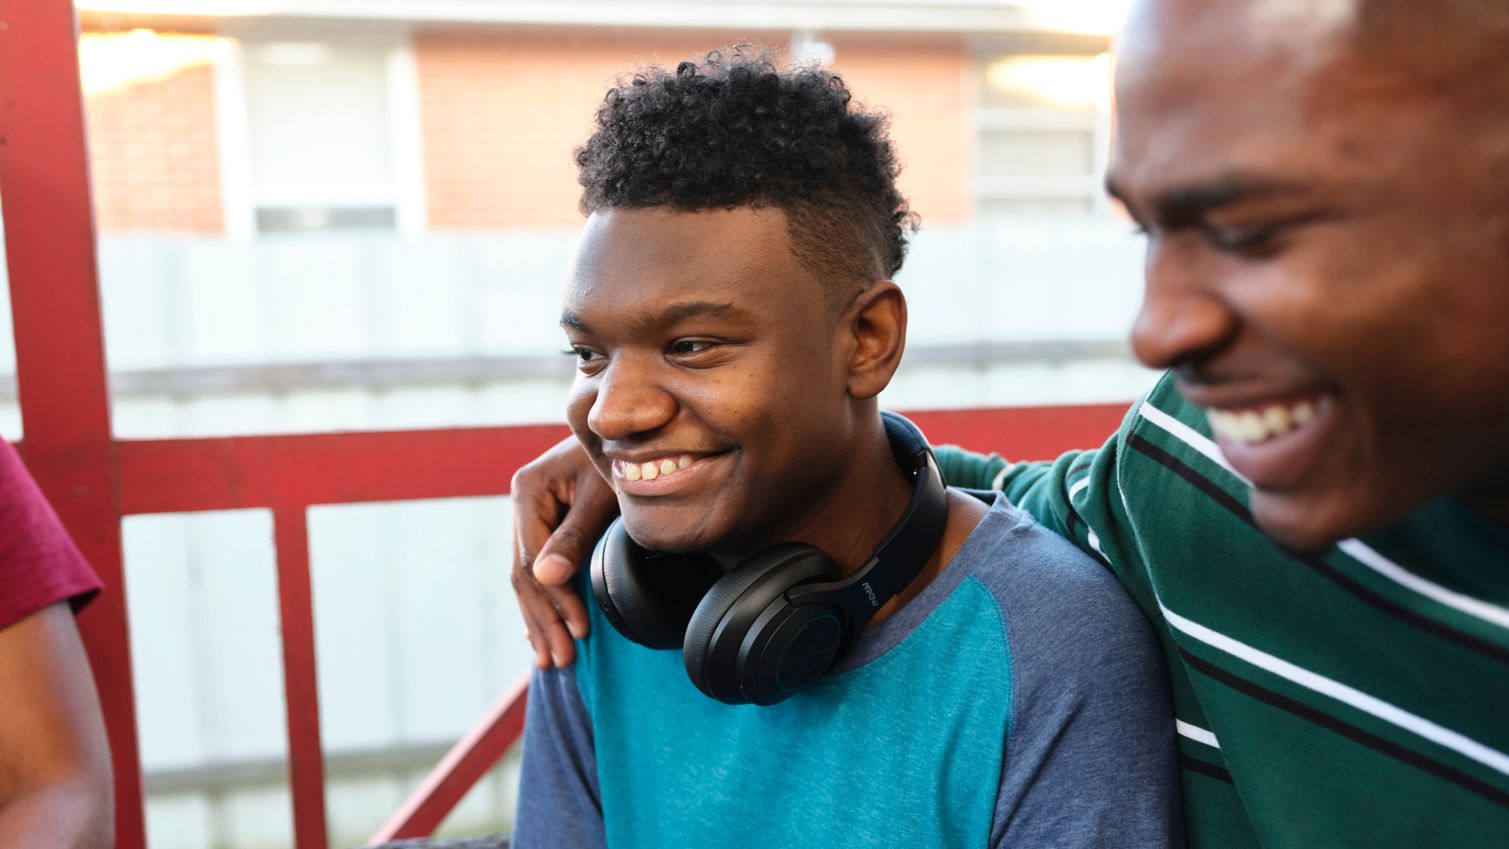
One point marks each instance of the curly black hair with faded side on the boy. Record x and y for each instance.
(737, 130)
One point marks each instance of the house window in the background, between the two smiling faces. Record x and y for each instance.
(1045, 130)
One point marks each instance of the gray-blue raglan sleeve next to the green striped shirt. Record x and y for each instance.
(1092, 759)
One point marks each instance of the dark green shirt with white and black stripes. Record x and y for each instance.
(1351, 697)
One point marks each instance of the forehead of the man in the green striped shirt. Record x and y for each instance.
(1244, 93)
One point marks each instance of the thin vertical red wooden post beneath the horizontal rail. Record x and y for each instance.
(301, 682)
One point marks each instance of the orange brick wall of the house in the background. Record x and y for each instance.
(500, 115)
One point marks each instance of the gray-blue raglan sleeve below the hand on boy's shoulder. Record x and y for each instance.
(561, 806)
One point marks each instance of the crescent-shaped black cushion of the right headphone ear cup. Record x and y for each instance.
(733, 608)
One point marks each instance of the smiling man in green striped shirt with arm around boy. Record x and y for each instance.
(1314, 504)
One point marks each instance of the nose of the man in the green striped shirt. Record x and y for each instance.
(1184, 317)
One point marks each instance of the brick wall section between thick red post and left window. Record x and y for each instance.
(155, 155)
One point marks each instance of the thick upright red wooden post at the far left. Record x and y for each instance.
(61, 373)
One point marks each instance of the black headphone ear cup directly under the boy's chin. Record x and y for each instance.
(648, 596)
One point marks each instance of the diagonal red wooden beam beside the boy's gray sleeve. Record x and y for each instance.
(469, 761)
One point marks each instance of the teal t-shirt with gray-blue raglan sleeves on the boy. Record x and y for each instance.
(1019, 700)
